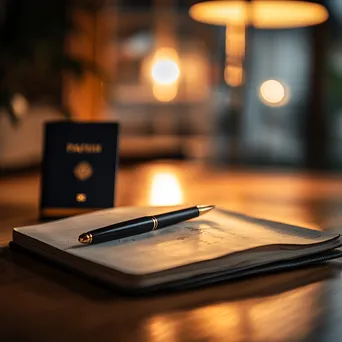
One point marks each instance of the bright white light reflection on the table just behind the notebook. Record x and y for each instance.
(165, 190)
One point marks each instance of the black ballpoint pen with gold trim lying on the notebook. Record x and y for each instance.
(142, 225)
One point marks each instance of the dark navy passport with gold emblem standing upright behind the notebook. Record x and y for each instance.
(79, 168)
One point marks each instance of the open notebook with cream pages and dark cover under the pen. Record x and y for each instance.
(218, 246)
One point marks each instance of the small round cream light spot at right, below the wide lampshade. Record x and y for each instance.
(273, 93)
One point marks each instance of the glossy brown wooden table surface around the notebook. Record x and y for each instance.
(41, 303)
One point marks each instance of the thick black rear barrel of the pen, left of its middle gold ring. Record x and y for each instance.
(122, 230)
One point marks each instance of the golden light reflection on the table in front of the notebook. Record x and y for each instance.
(274, 318)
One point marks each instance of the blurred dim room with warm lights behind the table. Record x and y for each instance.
(231, 83)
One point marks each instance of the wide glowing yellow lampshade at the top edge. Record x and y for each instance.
(260, 14)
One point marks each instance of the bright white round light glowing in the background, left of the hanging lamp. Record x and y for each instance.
(165, 71)
